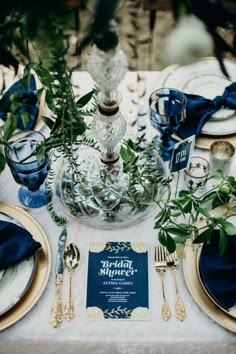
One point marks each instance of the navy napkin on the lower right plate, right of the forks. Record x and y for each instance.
(218, 273)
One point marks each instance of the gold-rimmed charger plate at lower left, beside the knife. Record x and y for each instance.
(42, 271)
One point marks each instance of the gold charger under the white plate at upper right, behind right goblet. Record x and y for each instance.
(203, 141)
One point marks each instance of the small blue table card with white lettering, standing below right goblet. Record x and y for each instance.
(181, 154)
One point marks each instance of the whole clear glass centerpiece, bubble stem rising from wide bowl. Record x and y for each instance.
(105, 189)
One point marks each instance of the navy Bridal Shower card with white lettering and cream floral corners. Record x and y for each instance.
(117, 284)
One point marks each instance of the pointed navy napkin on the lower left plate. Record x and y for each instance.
(16, 244)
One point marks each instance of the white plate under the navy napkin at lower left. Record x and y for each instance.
(15, 280)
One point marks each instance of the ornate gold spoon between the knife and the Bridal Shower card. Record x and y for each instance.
(71, 258)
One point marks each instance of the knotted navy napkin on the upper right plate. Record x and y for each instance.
(199, 109)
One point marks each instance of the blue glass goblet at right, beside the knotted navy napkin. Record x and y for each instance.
(167, 112)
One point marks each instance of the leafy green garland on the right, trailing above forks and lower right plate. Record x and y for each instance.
(176, 216)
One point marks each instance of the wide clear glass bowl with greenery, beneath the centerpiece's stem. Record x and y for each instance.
(105, 196)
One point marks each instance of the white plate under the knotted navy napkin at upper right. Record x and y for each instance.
(206, 79)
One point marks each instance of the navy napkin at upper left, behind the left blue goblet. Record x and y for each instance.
(28, 103)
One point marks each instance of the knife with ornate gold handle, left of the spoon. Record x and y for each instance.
(56, 311)
